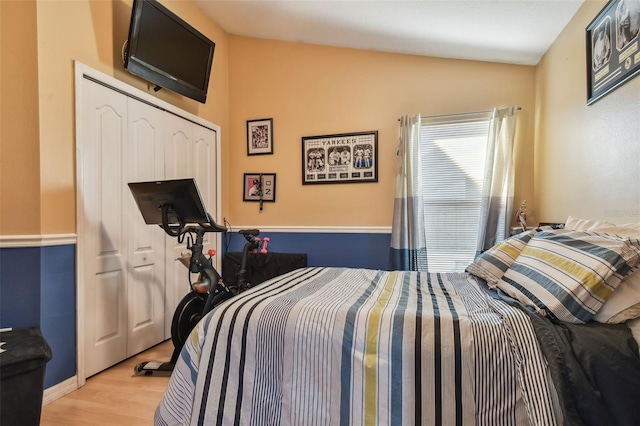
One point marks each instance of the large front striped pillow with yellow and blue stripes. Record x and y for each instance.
(570, 274)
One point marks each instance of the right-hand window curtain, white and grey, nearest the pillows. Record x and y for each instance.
(497, 188)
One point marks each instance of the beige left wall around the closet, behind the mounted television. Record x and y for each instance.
(42, 98)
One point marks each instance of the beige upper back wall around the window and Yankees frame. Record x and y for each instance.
(314, 90)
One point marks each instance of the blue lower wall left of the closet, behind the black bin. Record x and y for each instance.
(38, 289)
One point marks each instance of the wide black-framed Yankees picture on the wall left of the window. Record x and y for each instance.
(342, 158)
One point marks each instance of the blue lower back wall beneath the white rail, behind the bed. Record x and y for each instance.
(353, 250)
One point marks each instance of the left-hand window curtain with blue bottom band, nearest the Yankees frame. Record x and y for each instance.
(408, 244)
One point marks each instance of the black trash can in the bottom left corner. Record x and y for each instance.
(22, 365)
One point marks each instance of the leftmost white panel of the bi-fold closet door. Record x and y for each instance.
(103, 243)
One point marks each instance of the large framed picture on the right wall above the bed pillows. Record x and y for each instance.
(613, 48)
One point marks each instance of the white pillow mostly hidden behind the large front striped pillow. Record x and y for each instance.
(624, 303)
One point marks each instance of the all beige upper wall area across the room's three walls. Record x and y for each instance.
(584, 155)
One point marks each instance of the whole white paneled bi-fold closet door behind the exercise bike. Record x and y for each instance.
(129, 281)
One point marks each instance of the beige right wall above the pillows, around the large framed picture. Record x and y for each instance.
(587, 157)
